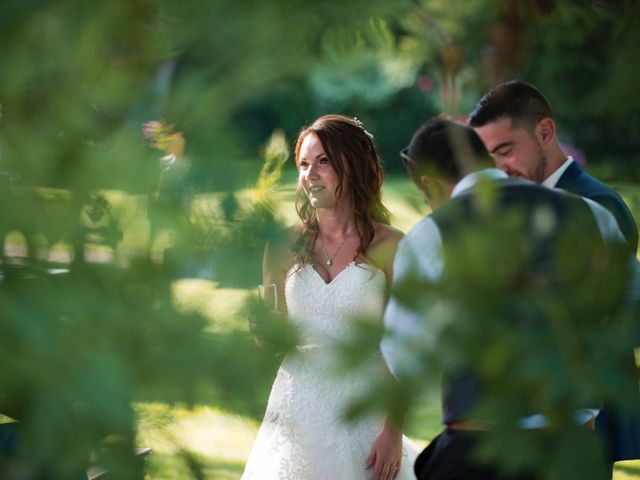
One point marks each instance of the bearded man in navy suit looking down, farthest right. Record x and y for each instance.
(515, 122)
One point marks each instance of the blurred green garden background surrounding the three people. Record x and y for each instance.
(145, 157)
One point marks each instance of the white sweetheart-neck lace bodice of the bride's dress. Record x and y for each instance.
(325, 312)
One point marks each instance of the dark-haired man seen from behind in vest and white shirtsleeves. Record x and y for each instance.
(486, 261)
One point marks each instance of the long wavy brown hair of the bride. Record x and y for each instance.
(353, 155)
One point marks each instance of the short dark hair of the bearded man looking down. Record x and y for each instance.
(523, 103)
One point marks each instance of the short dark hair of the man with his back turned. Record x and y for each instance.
(447, 149)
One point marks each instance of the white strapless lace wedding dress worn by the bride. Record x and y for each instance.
(303, 435)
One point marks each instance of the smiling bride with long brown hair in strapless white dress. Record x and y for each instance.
(335, 267)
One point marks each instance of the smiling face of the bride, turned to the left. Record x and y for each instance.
(317, 176)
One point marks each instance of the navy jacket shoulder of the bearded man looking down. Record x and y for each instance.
(576, 181)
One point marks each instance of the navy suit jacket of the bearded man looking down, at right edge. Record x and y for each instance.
(621, 433)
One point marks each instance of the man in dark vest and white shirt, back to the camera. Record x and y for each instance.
(488, 271)
